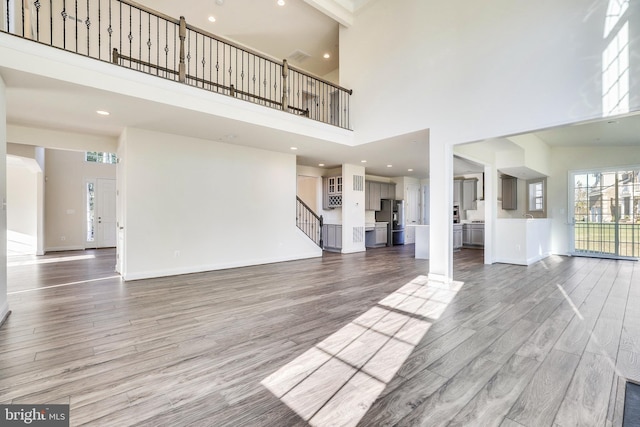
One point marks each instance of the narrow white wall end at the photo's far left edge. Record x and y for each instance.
(4, 304)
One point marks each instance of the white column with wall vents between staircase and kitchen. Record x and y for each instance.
(352, 209)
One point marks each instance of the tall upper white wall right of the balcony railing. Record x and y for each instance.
(472, 70)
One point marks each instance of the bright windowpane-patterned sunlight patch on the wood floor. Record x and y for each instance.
(337, 381)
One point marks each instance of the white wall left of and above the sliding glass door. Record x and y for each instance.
(564, 160)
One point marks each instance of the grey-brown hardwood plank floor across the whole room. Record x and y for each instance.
(361, 339)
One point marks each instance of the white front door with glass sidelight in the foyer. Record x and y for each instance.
(101, 213)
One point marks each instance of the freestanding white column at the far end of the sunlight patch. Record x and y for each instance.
(441, 211)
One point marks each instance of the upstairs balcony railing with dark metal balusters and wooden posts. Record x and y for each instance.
(133, 36)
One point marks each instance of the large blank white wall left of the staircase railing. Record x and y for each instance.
(191, 205)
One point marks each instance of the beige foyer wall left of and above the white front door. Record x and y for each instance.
(65, 202)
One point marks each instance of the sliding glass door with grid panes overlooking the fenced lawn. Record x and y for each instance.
(606, 212)
